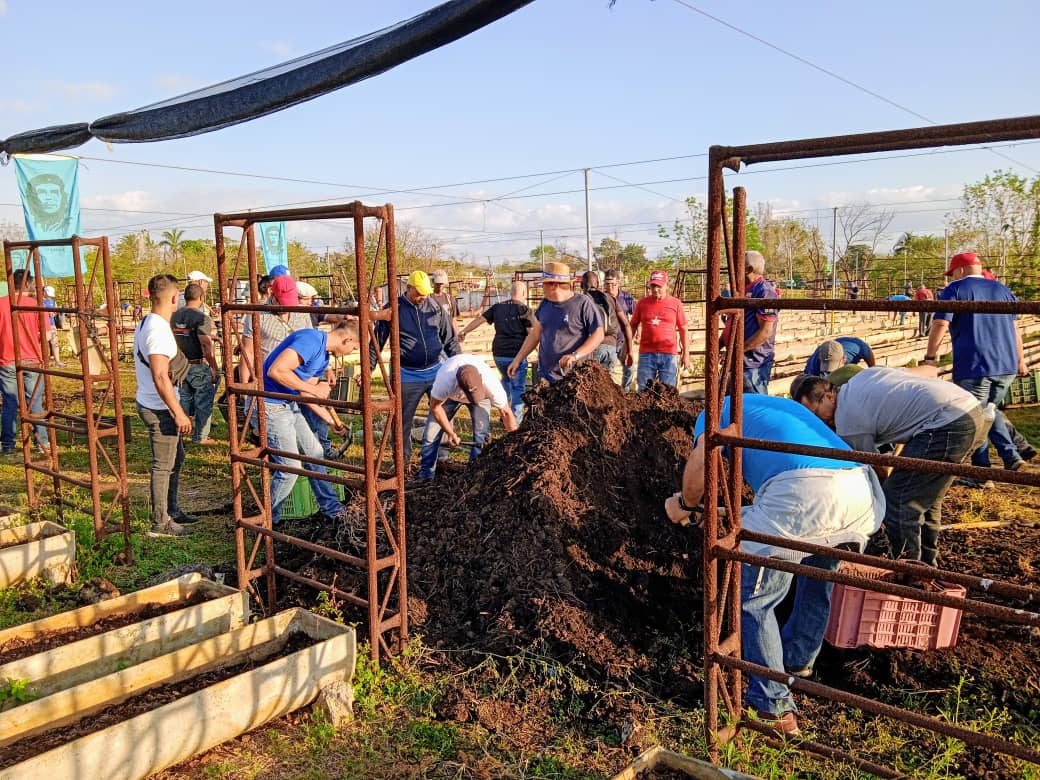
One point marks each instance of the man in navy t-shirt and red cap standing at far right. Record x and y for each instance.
(987, 350)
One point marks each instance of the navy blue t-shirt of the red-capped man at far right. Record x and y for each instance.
(984, 345)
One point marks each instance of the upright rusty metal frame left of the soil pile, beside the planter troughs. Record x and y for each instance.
(386, 579)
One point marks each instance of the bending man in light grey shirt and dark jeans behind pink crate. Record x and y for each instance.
(933, 420)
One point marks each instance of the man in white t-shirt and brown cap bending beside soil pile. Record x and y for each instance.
(463, 380)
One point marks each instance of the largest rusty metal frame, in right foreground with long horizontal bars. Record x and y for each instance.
(723, 666)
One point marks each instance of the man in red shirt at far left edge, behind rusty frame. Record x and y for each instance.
(31, 352)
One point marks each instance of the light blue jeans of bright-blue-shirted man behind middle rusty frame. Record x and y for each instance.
(289, 430)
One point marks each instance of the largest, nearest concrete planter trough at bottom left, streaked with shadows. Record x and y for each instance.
(198, 722)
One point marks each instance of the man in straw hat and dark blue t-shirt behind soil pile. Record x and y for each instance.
(568, 328)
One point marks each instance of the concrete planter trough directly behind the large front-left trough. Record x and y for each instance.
(74, 664)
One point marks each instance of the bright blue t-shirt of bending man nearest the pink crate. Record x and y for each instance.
(781, 420)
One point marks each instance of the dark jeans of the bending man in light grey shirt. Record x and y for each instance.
(914, 500)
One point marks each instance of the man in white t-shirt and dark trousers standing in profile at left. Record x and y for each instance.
(160, 367)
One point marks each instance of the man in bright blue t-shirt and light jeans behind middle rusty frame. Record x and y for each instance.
(300, 367)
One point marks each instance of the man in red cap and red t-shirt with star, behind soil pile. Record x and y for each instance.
(660, 316)
